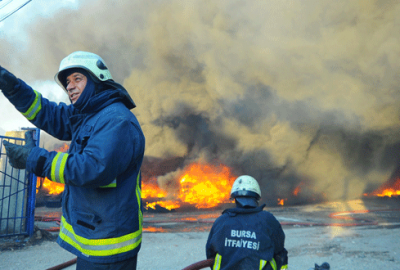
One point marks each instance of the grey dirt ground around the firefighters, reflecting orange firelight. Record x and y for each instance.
(348, 235)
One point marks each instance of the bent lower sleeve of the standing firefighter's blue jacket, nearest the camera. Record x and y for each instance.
(113, 145)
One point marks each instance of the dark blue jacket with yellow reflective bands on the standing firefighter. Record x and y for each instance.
(101, 204)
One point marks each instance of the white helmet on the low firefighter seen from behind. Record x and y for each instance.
(245, 186)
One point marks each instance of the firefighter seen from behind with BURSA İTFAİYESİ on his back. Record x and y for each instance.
(246, 237)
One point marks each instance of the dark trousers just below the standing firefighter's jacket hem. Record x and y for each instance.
(129, 264)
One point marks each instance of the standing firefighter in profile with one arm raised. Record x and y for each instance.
(101, 207)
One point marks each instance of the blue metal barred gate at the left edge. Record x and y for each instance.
(24, 212)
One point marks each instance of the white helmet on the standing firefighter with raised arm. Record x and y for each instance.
(88, 61)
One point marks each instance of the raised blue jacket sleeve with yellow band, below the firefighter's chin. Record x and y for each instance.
(44, 114)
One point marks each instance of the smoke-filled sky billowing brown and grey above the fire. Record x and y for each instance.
(294, 93)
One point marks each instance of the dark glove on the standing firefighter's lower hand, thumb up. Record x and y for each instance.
(18, 154)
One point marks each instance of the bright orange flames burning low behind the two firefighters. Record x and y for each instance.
(195, 186)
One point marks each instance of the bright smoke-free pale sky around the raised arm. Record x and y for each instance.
(13, 32)
